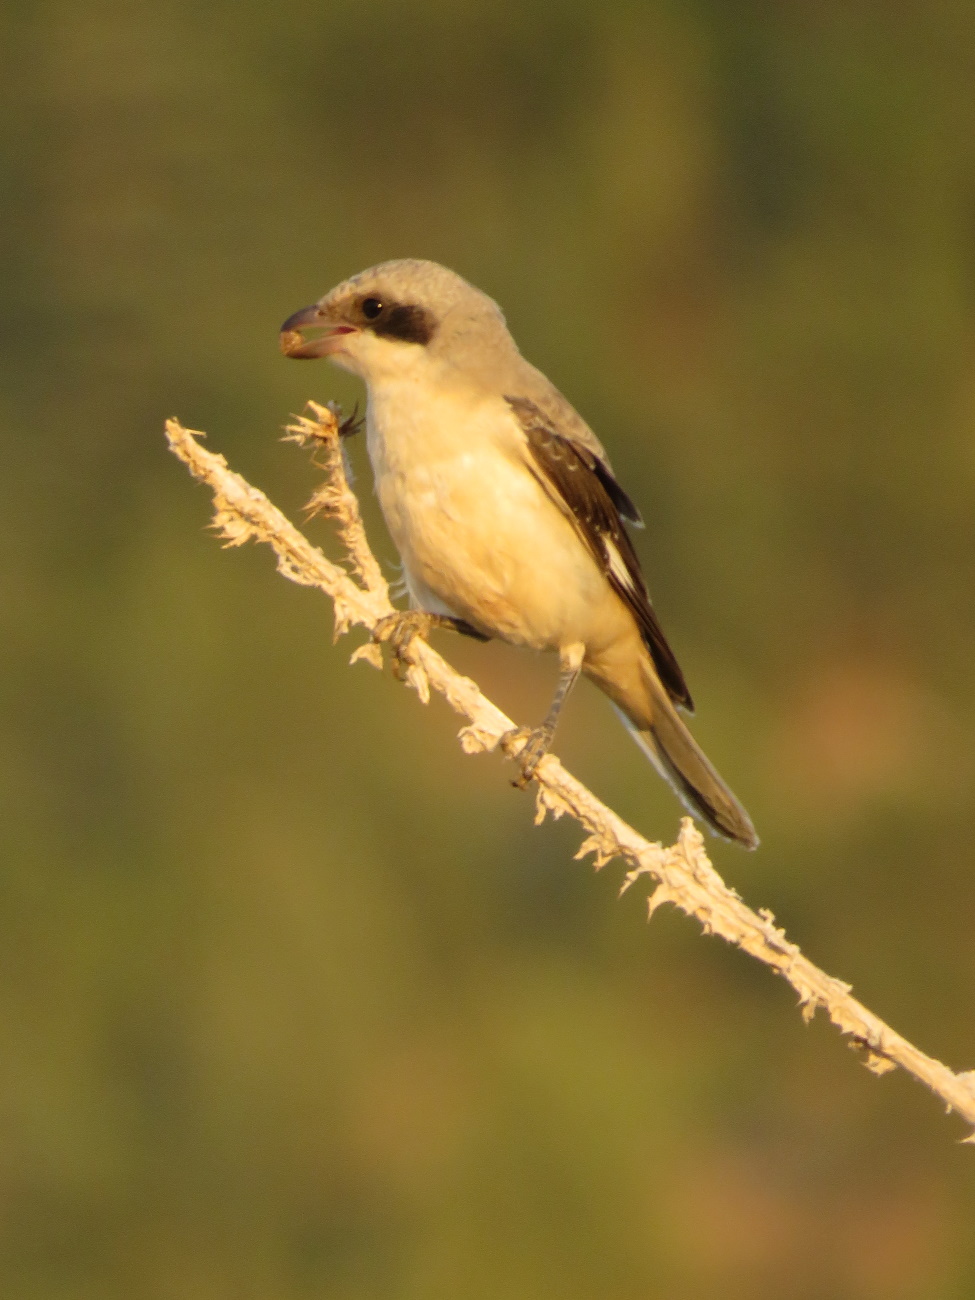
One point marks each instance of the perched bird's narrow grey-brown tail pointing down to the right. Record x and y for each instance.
(679, 759)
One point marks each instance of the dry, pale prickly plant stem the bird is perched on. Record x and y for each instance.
(682, 874)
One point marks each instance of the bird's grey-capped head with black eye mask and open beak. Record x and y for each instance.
(401, 317)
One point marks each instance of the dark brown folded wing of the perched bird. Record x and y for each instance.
(586, 488)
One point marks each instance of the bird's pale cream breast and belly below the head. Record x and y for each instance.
(475, 528)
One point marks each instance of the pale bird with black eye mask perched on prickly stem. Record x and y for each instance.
(509, 519)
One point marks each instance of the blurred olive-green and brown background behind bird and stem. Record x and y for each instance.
(294, 1002)
